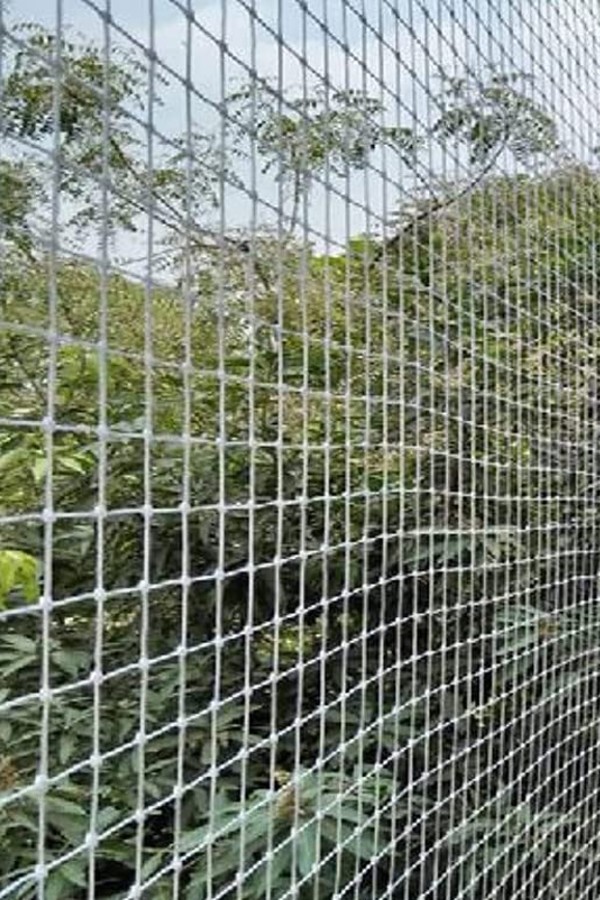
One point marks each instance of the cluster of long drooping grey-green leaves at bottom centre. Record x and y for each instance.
(312, 828)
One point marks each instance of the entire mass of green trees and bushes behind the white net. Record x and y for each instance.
(420, 473)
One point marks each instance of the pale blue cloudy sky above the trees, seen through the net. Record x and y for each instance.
(397, 50)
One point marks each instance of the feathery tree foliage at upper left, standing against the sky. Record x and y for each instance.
(45, 75)
